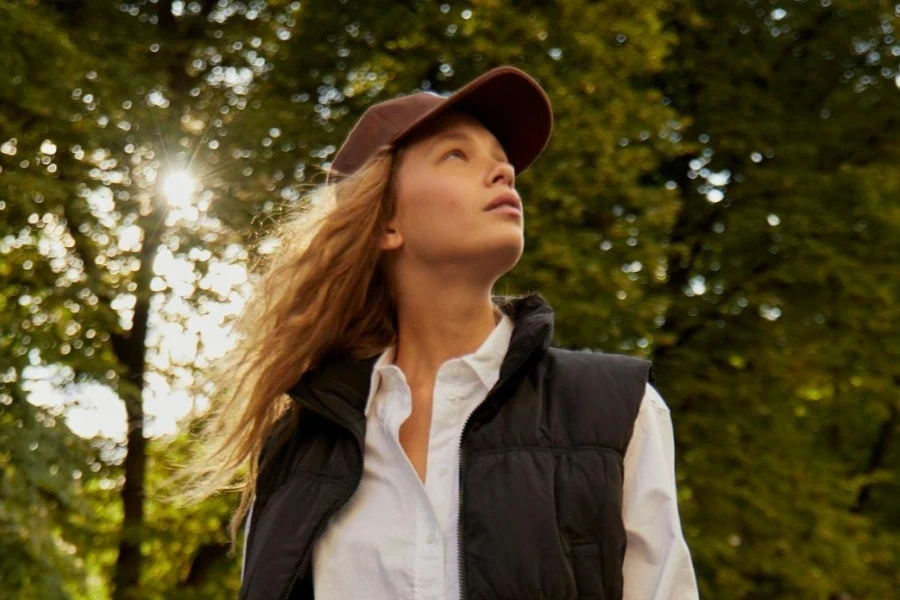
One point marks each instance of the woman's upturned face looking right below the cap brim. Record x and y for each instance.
(444, 182)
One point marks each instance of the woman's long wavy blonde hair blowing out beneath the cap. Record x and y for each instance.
(324, 291)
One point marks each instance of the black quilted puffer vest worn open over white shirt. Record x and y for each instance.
(540, 475)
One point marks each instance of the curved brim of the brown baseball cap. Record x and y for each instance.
(510, 104)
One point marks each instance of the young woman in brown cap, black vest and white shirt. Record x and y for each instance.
(410, 434)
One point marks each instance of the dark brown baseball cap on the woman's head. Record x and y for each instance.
(507, 101)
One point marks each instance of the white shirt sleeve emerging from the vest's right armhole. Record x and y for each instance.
(657, 563)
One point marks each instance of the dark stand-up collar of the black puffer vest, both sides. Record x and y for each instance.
(338, 388)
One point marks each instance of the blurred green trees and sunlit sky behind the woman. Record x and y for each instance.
(721, 195)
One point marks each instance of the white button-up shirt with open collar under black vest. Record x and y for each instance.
(397, 538)
